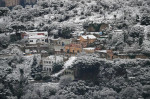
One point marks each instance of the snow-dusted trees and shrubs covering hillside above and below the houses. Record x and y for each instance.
(97, 78)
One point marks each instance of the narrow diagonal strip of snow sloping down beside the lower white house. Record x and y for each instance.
(66, 65)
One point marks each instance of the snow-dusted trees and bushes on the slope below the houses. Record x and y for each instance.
(122, 79)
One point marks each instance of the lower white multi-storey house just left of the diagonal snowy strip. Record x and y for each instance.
(49, 61)
